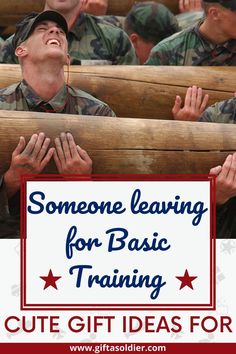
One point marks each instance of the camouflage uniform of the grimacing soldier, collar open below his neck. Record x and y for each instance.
(20, 97)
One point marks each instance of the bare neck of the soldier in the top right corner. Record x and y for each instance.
(213, 32)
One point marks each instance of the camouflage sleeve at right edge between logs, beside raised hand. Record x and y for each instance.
(220, 112)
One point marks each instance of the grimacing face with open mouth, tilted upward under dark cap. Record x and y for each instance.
(47, 40)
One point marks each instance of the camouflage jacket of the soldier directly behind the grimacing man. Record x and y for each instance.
(91, 41)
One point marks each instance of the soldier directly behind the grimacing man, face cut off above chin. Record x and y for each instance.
(91, 40)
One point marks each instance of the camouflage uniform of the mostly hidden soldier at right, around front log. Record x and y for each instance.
(223, 112)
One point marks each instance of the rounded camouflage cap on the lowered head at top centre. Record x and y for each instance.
(151, 20)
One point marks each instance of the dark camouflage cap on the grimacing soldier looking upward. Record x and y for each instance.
(26, 27)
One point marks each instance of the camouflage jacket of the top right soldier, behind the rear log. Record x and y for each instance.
(190, 47)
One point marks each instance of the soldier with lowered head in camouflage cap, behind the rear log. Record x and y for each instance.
(147, 24)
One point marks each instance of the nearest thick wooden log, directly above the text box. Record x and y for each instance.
(126, 145)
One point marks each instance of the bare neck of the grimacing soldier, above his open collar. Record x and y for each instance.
(46, 83)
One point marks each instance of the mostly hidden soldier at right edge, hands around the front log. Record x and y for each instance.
(221, 112)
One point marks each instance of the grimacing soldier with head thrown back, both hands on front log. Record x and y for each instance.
(41, 47)
